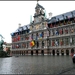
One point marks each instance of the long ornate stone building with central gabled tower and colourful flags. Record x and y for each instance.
(43, 36)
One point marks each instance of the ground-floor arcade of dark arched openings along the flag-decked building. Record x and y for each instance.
(44, 52)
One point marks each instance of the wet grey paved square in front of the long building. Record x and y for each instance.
(37, 65)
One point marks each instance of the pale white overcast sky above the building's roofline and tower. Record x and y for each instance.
(14, 12)
